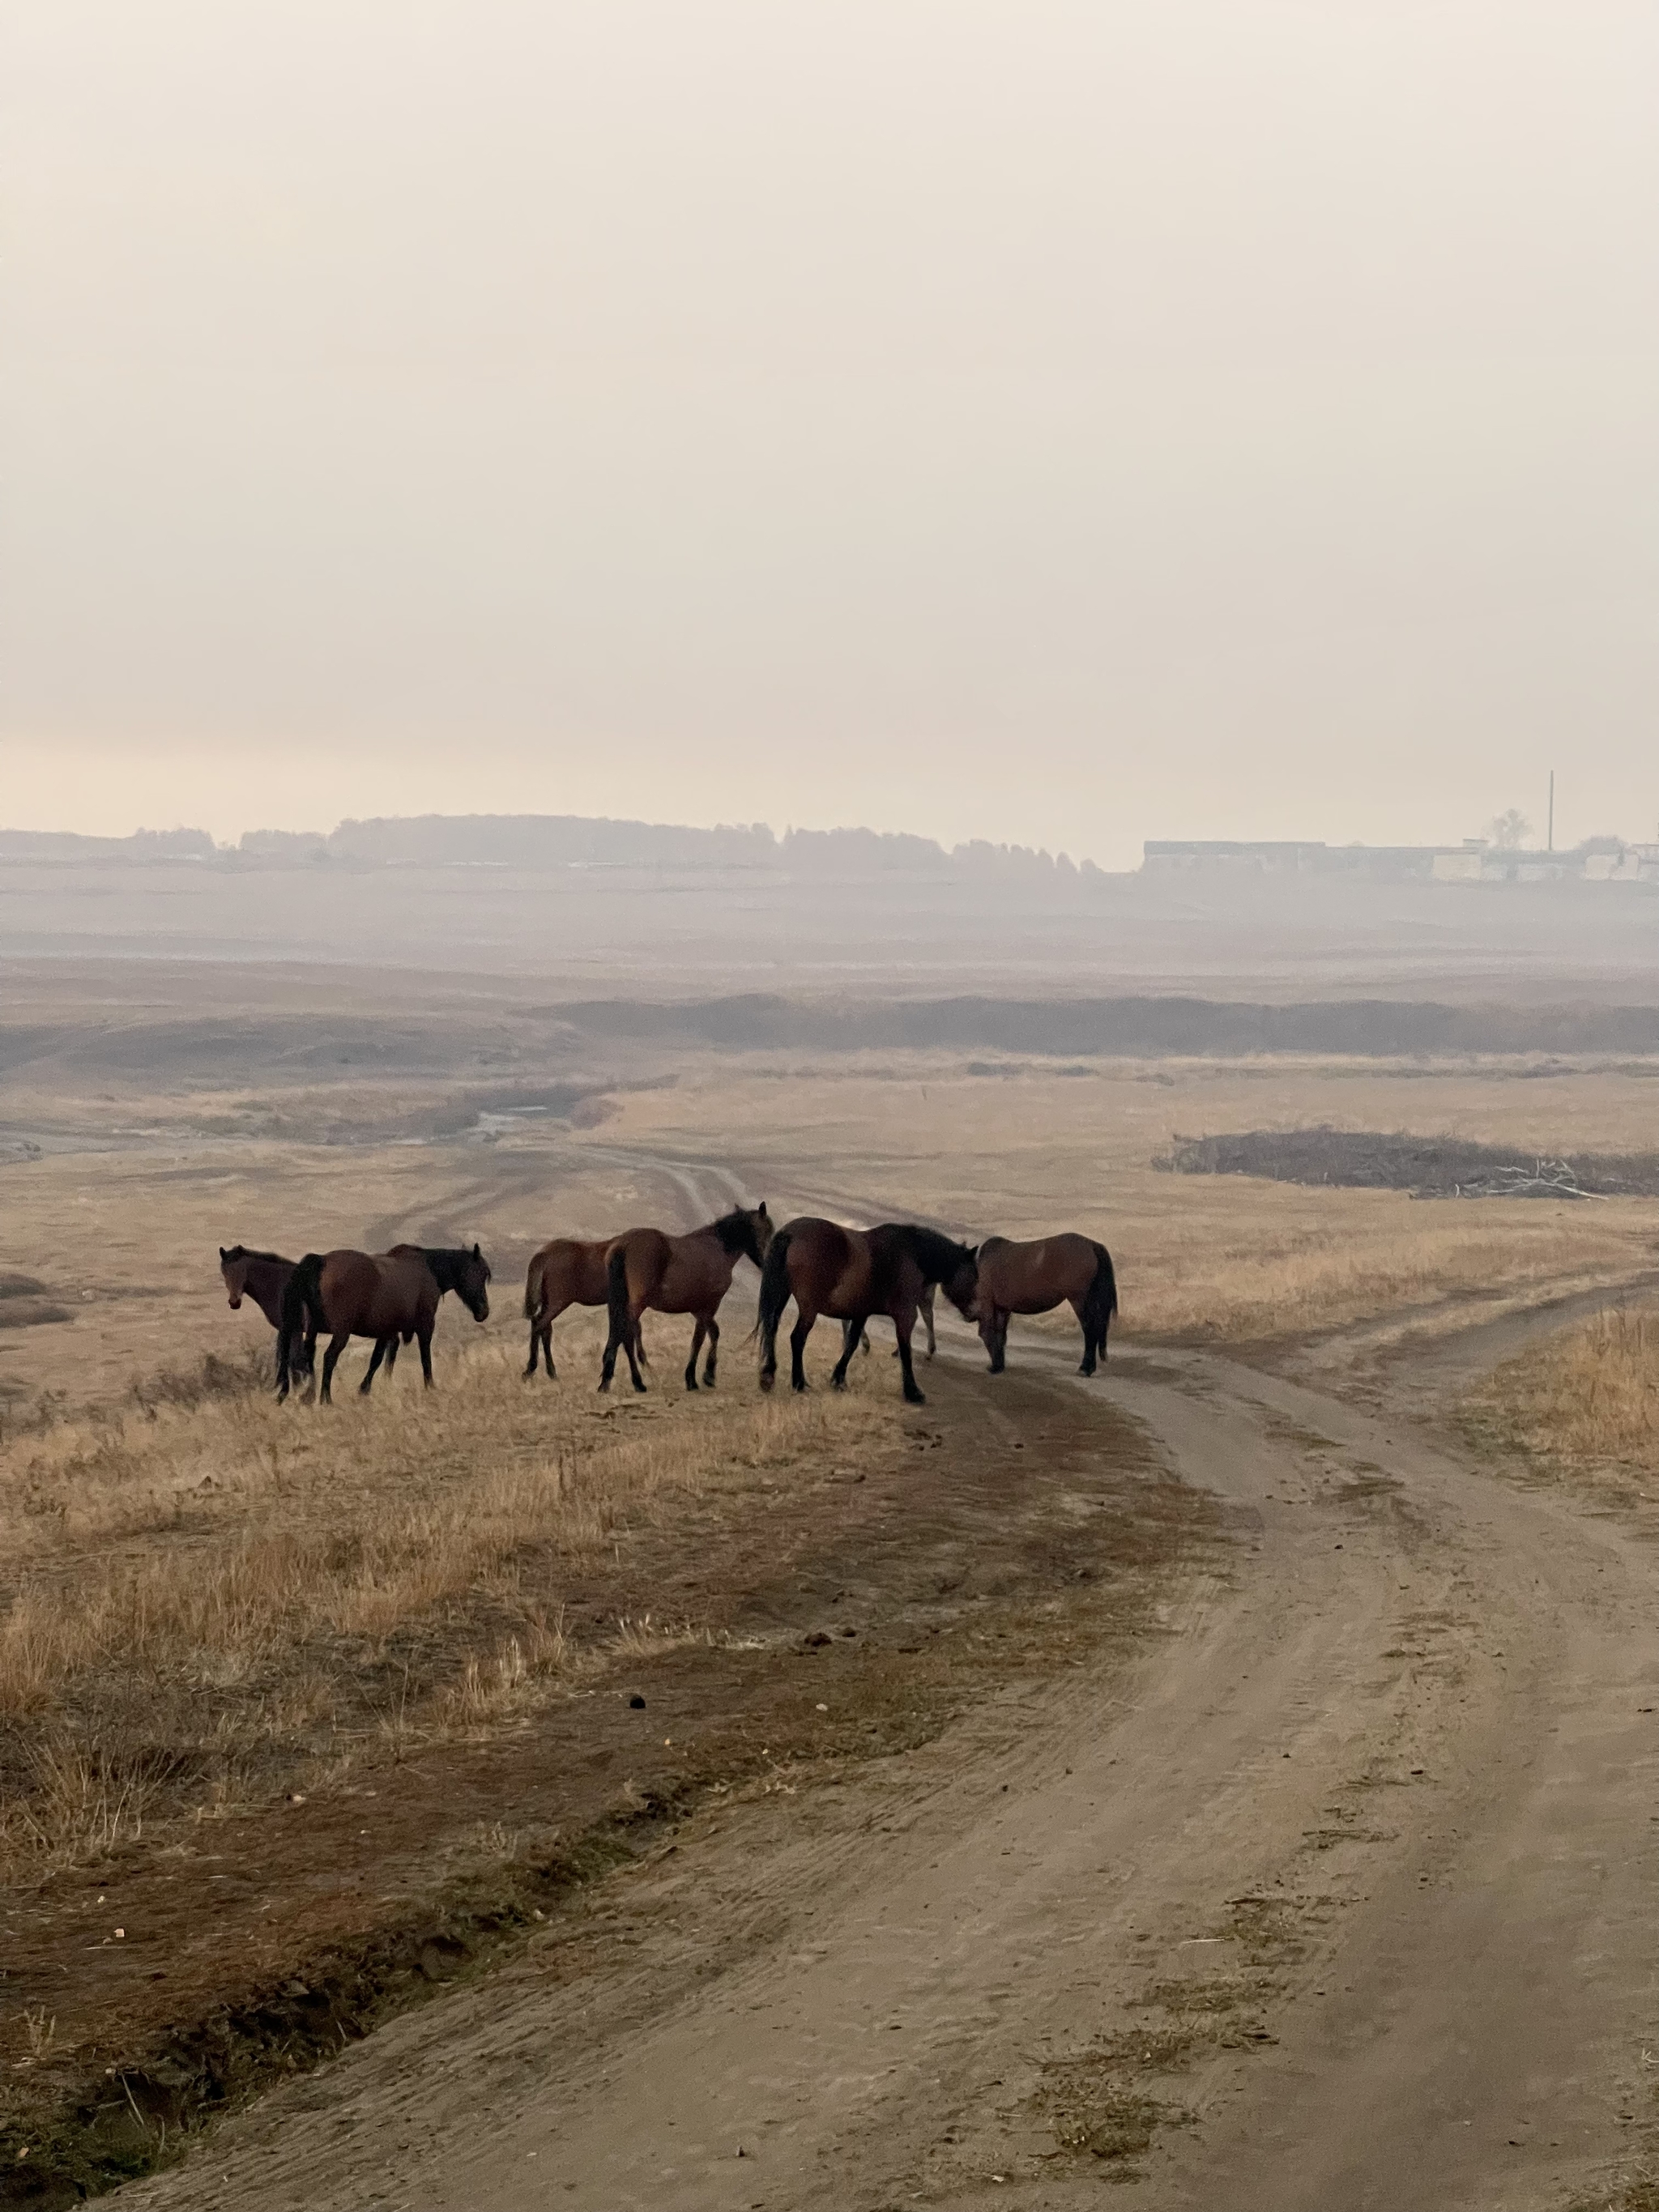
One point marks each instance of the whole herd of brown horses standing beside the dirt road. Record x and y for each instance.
(828, 1271)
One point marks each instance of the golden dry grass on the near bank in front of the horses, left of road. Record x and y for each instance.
(218, 1598)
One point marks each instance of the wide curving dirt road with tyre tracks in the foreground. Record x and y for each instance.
(1344, 1899)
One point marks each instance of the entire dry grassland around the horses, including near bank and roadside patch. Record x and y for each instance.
(222, 1616)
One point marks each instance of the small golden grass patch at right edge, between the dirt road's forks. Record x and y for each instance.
(1587, 1401)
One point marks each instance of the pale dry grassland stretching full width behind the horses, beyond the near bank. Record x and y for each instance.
(125, 1242)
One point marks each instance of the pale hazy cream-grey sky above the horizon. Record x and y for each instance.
(1065, 421)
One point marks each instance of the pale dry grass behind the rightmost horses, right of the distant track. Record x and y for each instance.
(1220, 1258)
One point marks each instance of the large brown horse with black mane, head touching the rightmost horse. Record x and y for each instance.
(853, 1275)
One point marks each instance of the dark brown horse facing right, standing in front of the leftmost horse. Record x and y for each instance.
(384, 1297)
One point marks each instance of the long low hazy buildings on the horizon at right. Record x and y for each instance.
(1474, 862)
